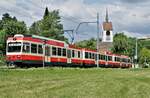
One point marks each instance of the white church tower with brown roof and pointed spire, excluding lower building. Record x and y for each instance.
(107, 34)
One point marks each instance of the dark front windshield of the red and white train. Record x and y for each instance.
(14, 47)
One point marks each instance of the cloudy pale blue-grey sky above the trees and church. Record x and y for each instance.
(129, 16)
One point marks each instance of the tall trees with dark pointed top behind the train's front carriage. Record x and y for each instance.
(49, 26)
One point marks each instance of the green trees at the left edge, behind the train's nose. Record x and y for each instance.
(10, 26)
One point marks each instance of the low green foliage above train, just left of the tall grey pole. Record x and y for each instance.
(90, 44)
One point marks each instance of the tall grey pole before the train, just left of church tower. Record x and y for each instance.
(97, 48)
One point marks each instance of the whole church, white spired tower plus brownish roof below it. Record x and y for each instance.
(107, 35)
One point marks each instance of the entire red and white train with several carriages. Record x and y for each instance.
(23, 50)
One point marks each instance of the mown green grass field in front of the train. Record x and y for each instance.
(74, 83)
